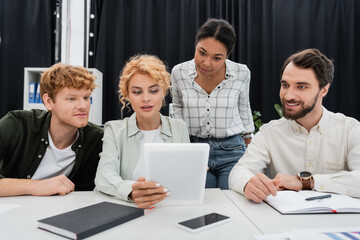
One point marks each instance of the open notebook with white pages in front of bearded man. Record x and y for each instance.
(292, 202)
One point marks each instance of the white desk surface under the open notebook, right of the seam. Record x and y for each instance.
(268, 220)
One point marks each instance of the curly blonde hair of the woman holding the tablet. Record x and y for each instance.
(143, 64)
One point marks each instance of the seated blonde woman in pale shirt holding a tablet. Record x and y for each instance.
(144, 83)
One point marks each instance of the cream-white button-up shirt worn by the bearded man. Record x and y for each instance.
(331, 152)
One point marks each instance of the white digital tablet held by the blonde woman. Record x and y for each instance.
(180, 167)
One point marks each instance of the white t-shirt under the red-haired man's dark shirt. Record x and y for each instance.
(55, 161)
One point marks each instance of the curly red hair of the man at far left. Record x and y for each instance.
(62, 75)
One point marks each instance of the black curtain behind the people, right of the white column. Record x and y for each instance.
(267, 32)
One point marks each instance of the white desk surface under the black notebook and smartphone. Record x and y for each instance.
(158, 223)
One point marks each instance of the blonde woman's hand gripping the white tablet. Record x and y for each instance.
(146, 194)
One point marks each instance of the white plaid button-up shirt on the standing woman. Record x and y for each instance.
(222, 113)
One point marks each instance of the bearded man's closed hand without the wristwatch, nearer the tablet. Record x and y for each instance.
(259, 187)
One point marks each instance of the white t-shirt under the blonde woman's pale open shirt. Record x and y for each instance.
(152, 136)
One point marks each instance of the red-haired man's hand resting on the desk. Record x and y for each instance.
(56, 185)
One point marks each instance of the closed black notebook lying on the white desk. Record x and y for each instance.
(87, 221)
